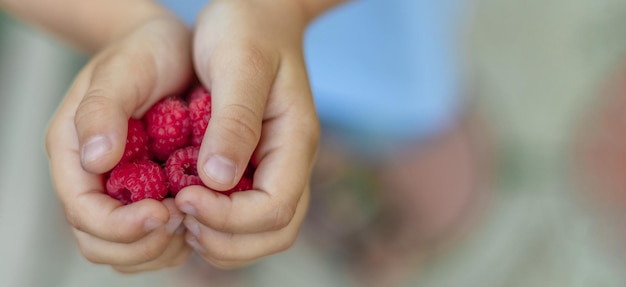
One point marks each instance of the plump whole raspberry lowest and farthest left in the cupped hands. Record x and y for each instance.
(134, 181)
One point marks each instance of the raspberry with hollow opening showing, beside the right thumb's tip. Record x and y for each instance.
(181, 169)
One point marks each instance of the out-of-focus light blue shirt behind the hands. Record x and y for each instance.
(381, 71)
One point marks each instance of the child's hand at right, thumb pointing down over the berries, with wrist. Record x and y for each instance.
(249, 54)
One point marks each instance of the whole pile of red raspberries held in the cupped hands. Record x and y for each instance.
(161, 150)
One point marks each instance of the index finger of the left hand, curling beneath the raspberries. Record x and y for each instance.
(86, 205)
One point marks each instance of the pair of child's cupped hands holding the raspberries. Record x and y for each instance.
(249, 54)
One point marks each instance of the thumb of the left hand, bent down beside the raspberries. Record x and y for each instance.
(125, 82)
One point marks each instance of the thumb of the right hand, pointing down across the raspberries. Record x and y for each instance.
(240, 80)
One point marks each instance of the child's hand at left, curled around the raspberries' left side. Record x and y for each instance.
(87, 135)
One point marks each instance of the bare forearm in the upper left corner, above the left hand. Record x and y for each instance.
(86, 24)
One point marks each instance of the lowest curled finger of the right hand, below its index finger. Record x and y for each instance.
(227, 250)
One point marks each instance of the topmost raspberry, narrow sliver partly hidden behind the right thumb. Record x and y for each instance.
(200, 113)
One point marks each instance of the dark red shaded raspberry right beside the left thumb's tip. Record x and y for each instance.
(136, 142)
